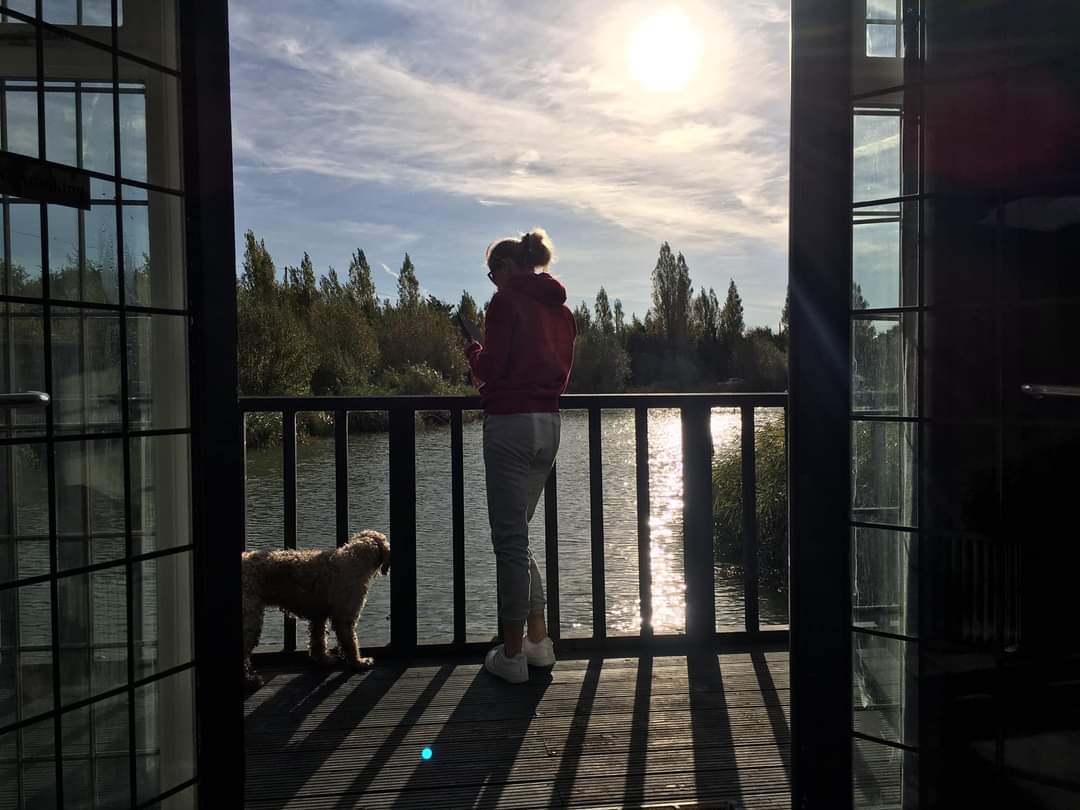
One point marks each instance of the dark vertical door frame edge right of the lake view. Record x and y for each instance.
(819, 403)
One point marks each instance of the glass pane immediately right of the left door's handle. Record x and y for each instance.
(86, 371)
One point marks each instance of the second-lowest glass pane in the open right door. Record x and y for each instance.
(884, 688)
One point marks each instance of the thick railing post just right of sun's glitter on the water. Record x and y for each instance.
(698, 522)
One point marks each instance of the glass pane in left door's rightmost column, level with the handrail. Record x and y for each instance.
(157, 371)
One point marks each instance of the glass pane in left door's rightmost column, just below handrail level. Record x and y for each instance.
(161, 493)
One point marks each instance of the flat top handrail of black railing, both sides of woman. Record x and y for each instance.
(467, 402)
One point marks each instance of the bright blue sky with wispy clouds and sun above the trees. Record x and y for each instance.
(436, 128)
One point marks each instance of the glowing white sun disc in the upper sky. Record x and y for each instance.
(665, 51)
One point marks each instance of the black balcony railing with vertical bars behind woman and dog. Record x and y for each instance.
(697, 516)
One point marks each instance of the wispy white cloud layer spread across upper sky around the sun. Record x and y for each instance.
(462, 104)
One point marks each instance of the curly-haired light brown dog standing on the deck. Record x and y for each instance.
(317, 586)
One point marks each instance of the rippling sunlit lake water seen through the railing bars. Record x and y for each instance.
(370, 508)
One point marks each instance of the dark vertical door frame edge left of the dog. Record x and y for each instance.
(218, 435)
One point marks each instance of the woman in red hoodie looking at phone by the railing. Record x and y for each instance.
(522, 370)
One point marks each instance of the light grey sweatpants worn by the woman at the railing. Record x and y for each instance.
(519, 453)
